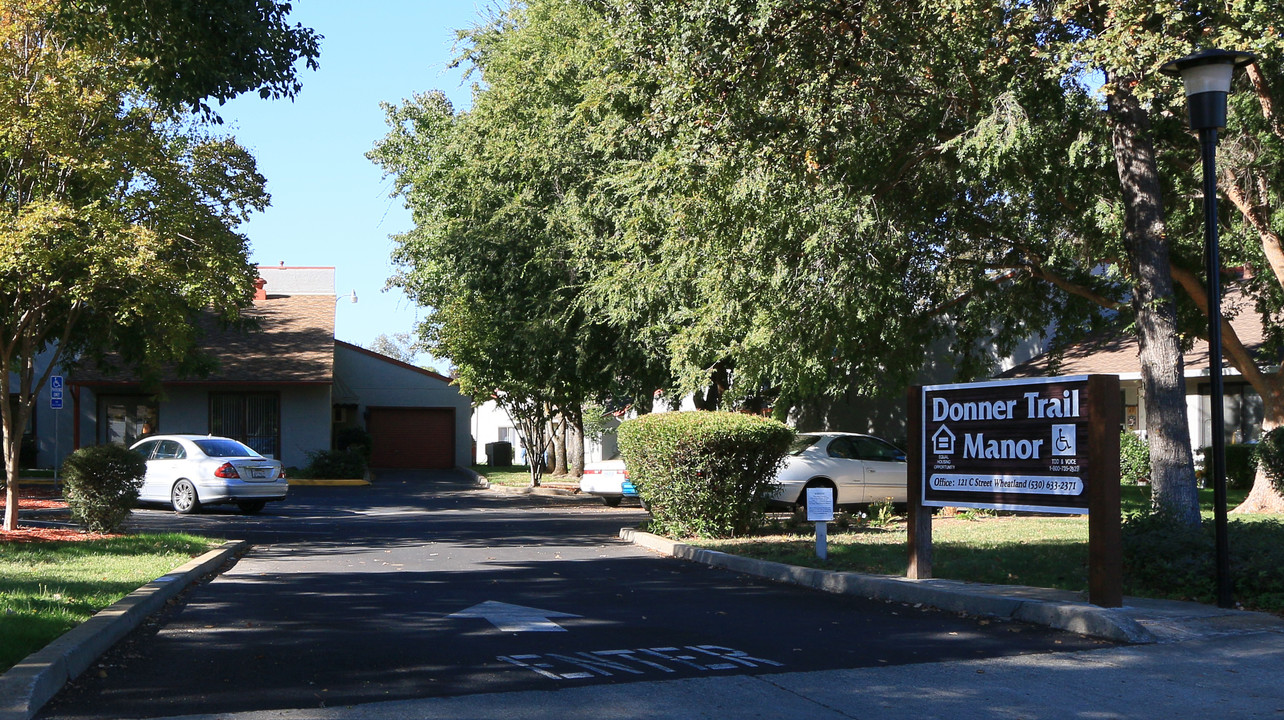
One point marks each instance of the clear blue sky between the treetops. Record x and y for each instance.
(331, 205)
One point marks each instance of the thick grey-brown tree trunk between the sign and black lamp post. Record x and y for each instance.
(1173, 477)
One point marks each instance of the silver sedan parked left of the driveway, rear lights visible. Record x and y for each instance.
(188, 472)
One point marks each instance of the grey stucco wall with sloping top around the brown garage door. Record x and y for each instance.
(372, 381)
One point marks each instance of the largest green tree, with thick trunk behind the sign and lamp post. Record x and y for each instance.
(872, 165)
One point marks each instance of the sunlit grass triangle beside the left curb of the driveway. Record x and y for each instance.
(49, 588)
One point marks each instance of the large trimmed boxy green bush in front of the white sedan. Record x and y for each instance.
(704, 474)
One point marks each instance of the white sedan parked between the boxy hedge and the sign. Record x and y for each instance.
(857, 469)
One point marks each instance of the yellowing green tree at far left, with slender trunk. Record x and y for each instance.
(117, 216)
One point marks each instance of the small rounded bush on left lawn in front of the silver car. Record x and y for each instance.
(102, 484)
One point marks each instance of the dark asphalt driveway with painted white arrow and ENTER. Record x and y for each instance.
(423, 586)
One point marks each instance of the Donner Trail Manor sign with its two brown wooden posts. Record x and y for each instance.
(1047, 446)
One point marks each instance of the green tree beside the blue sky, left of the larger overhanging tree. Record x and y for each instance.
(495, 194)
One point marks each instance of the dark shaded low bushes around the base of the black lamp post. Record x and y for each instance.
(1168, 560)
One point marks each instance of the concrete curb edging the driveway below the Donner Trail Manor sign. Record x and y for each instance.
(1028, 605)
